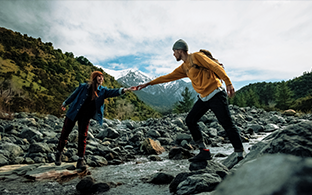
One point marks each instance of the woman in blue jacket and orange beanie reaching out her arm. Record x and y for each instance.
(86, 102)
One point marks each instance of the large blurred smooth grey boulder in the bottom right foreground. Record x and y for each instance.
(270, 174)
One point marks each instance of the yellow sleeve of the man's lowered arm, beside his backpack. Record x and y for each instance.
(213, 66)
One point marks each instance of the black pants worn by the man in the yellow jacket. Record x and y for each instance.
(219, 106)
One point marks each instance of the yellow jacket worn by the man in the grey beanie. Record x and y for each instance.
(204, 81)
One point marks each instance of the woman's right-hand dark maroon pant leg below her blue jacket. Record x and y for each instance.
(83, 126)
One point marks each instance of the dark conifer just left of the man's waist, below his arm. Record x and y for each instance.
(185, 104)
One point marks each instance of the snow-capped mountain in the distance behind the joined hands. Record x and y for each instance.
(161, 96)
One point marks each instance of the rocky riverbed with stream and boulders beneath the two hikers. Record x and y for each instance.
(129, 157)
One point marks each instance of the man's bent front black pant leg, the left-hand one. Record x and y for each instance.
(198, 110)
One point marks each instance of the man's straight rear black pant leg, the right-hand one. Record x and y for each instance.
(219, 106)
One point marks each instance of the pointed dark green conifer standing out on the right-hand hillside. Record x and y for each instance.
(283, 96)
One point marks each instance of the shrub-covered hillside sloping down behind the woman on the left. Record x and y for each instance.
(35, 77)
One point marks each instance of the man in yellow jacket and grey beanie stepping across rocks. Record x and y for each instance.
(205, 74)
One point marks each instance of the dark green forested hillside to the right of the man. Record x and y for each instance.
(295, 93)
